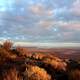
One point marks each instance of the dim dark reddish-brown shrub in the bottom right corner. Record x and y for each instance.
(74, 75)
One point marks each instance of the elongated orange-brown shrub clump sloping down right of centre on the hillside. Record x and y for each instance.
(56, 63)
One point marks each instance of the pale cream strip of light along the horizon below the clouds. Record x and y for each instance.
(45, 45)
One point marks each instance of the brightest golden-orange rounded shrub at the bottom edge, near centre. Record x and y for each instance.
(36, 73)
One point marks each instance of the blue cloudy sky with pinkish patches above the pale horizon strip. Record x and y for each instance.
(40, 20)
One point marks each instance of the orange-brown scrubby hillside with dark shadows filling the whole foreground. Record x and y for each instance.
(19, 64)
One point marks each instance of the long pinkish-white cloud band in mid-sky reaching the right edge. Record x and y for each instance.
(49, 24)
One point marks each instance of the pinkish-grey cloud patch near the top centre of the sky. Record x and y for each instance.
(41, 10)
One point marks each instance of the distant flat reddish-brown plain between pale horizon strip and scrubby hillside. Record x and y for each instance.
(68, 53)
